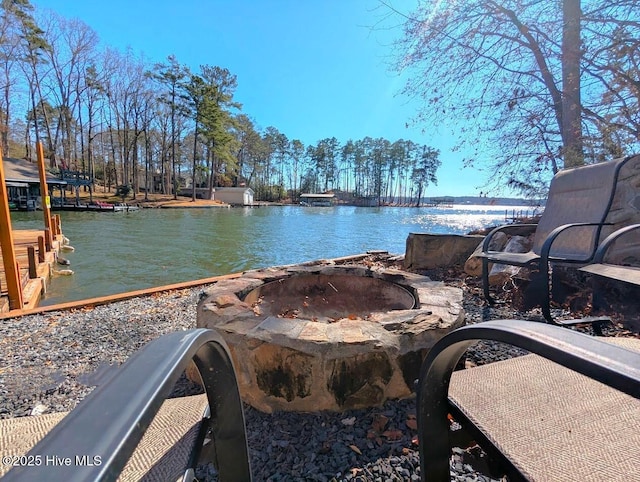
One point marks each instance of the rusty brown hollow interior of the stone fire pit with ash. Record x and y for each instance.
(328, 298)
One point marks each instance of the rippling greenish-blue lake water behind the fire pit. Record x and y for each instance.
(119, 252)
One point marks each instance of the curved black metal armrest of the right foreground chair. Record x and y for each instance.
(610, 364)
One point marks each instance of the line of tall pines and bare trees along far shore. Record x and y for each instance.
(159, 127)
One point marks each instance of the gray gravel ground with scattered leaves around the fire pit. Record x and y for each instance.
(49, 362)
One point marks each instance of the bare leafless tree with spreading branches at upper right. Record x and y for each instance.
(521, 77)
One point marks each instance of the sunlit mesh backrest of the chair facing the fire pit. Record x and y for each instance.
(578, 195)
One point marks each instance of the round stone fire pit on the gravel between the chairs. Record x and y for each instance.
(329, 337)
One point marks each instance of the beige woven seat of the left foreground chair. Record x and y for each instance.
(162, 454)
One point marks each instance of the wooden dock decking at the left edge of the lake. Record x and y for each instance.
(32, 288)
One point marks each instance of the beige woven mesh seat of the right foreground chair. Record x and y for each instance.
(551, 422)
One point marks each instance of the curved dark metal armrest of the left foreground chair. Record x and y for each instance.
(110, 422)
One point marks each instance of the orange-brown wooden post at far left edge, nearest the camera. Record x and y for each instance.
(12, 274)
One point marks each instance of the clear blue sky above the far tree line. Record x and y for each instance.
(311, 68)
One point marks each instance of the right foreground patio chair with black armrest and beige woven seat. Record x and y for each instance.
(568, 411)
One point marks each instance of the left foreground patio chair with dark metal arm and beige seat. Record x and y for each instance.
(125, 427)
